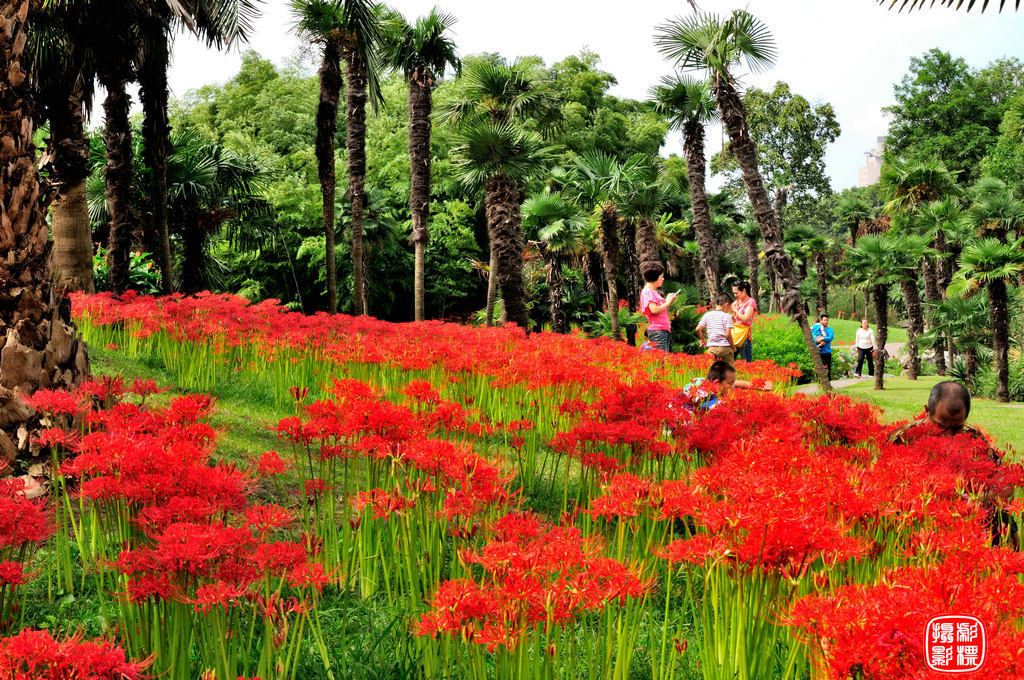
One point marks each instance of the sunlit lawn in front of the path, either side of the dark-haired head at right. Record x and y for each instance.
(905, 399)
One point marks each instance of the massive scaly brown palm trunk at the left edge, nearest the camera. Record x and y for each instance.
(40, 344)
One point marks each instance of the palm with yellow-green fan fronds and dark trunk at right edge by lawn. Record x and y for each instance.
(993, 265)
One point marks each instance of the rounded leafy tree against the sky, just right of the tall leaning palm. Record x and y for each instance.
(792, 138)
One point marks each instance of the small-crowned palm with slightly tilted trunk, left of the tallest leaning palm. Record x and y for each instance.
(689, 106)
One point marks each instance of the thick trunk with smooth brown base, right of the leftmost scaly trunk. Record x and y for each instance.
(72, 232)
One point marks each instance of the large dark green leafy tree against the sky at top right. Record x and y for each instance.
(950, 113)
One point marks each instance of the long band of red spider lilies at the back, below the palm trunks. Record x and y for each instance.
(507, 355)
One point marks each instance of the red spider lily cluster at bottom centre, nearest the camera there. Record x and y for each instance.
(534, 574)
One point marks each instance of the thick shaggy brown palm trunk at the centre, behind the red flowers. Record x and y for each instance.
(503, 201)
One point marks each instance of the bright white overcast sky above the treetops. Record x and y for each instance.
(848, 53)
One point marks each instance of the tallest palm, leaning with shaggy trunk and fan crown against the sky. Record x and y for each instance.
(717, 46)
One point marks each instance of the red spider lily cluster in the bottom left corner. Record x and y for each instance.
(37, 656)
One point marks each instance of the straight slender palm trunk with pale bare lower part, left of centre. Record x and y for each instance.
(420, 106)
